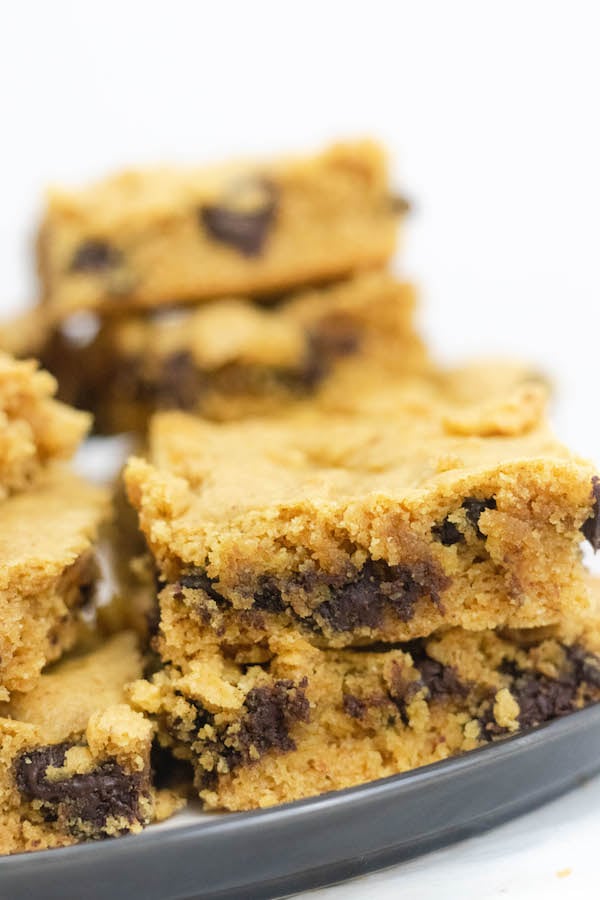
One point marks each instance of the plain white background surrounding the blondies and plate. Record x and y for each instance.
(491, 112)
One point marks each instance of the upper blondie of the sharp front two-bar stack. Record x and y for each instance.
(359, 529)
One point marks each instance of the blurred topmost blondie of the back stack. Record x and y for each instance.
(148, 238)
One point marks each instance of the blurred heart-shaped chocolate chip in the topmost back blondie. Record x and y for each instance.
(245, 230)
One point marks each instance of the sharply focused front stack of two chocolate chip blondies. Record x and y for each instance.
(350, 595)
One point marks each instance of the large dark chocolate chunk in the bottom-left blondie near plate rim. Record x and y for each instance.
(93, 797)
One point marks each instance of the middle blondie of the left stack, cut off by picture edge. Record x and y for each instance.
(47, 570)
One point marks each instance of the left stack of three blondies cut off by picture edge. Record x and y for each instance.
(74, 755)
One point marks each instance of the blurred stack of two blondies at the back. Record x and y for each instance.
(225, 291)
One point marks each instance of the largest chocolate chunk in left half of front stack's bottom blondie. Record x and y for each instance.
(270, 712)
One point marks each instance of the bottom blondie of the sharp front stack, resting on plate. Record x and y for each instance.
(305, 721)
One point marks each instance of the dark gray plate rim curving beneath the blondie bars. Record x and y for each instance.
(311, 843)
